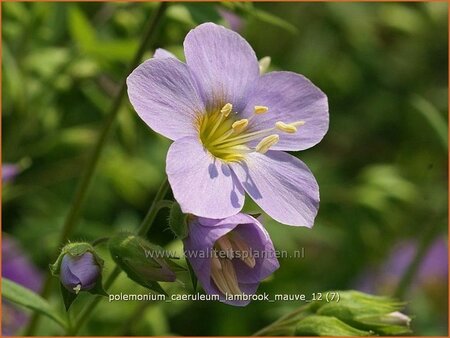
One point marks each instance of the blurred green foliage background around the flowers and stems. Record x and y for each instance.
(382, 167)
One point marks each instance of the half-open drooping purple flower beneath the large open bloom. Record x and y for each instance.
(230, 256)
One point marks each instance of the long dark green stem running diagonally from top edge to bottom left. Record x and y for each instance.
(87, 175)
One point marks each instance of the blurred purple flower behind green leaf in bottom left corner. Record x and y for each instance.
(18, 268)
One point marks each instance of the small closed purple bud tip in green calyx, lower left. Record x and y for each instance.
(79, 273)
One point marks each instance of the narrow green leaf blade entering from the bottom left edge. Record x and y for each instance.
(25, 297)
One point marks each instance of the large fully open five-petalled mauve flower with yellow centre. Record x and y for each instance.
(231, 127)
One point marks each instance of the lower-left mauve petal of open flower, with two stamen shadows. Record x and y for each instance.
(202, 185)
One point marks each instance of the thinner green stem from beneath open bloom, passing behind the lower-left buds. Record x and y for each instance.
(157, 204)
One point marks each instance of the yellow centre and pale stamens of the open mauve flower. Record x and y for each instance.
(227, 137)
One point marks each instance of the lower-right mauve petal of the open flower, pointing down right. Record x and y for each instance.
(281, 185)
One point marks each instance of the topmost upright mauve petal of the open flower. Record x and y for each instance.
(224, 64)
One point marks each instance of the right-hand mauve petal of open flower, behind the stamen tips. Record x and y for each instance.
(290, 97)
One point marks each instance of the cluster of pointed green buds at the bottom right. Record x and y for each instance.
(350, 313)
